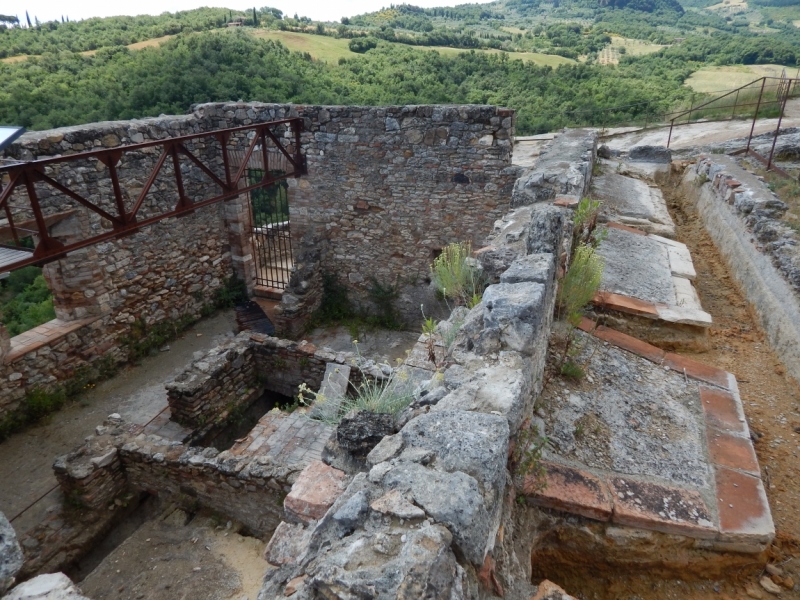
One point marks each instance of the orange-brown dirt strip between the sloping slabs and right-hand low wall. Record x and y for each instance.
(772, 405)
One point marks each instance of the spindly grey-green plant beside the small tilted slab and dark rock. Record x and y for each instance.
(388, 396)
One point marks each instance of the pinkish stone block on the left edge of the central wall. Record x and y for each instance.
(314, 492)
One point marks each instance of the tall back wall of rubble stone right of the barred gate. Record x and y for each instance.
(388, 187)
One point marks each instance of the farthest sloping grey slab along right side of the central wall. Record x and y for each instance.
(633, 202)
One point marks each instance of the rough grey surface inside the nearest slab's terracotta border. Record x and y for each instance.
(634, 417)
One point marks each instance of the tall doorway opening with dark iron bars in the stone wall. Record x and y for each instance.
(272, 242)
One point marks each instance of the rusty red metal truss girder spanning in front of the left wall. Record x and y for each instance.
(36, 190)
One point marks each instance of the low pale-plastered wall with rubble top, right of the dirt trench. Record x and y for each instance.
(743, 218)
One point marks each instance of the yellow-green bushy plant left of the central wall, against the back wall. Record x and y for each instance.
(455, 274)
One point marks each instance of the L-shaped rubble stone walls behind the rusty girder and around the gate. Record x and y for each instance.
(373, 174)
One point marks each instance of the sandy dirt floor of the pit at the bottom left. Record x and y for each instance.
(178, 556)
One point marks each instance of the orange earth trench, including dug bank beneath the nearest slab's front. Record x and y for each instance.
(591, 563)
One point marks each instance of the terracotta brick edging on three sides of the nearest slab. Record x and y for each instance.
(742, 521)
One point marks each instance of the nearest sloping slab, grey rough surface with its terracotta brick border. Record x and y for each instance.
(652, 440)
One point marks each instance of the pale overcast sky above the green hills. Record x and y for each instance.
(48, 10)
